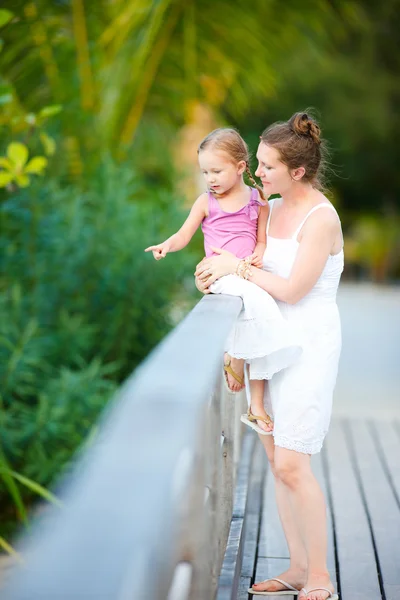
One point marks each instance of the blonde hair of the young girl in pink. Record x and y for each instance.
(230, 141)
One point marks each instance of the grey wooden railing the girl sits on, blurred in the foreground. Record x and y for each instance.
(148, 507)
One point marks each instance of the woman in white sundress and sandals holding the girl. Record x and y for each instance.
(303, 262)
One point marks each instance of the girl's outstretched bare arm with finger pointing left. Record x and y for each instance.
(181, 238)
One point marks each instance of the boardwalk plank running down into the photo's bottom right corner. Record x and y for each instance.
(381, 504)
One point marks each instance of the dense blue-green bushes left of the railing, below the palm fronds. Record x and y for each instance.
(81, 305)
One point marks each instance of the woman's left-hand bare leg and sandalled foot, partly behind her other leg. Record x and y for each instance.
(296, 574)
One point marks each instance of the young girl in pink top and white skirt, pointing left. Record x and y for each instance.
(234, 218)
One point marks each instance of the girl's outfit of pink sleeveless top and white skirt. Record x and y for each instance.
(260, 335)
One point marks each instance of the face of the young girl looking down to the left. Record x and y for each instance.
(220, 172)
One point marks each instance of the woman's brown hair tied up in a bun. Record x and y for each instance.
(299, 144)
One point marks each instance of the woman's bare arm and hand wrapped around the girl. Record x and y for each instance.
(316, 244)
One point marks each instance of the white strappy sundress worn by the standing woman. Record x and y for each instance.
(299, 398)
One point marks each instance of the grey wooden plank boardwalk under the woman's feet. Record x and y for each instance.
(359, 470)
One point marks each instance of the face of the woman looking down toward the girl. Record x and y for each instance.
(274, 174)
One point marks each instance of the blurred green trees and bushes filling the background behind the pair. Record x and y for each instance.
(102, 105)
